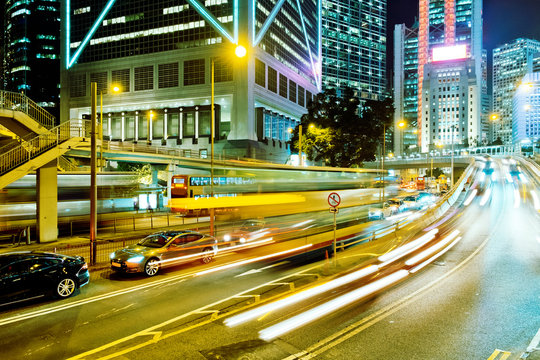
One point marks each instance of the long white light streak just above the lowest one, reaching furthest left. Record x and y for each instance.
(306, 294)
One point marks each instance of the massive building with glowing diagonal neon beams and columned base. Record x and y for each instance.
(161, 55)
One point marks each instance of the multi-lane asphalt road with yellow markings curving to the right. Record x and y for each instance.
(480, 300)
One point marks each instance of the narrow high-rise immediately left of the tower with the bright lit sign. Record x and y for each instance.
(405, 87)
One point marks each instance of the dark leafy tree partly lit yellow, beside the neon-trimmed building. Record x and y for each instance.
(340, 132)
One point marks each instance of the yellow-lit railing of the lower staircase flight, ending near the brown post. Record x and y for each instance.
(42, 143)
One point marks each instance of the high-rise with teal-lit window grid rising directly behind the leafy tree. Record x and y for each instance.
(354, 46)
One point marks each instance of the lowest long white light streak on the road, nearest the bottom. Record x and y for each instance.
(304, 318)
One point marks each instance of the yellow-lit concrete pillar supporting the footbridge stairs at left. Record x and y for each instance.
(47, 203)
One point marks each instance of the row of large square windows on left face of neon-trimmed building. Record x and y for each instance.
(144, 77)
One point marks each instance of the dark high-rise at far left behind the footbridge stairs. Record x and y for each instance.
(31, 50)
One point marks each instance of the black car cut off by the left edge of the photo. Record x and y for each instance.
(28, 275)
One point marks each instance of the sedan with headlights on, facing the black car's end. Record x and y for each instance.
(163, 249)
